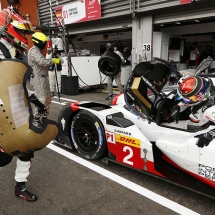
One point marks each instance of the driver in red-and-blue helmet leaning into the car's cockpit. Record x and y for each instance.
(195, 93)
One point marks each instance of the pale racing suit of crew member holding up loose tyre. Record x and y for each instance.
(116, 77)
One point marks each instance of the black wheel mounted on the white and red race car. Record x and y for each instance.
(88, 135)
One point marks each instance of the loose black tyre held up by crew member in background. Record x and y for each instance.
(110, 63)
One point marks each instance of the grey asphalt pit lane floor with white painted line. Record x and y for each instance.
(65, 186)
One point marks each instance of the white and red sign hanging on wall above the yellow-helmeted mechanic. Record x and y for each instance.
(79, 11)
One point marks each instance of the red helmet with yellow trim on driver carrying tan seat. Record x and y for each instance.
(14, 26)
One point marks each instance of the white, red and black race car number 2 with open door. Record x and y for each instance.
(134, 131)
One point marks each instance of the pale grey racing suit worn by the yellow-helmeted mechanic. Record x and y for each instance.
(39, 80)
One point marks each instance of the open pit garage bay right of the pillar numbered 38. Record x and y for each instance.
(189, 27)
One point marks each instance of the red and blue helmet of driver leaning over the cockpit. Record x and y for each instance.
(193, 90)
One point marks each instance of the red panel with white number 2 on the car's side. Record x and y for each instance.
(129, 155)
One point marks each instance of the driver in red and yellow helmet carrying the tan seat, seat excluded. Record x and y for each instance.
(12, 44)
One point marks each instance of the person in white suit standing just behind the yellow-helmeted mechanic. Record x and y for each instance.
(51, 71)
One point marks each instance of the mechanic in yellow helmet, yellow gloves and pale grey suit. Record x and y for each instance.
(40, 66)
